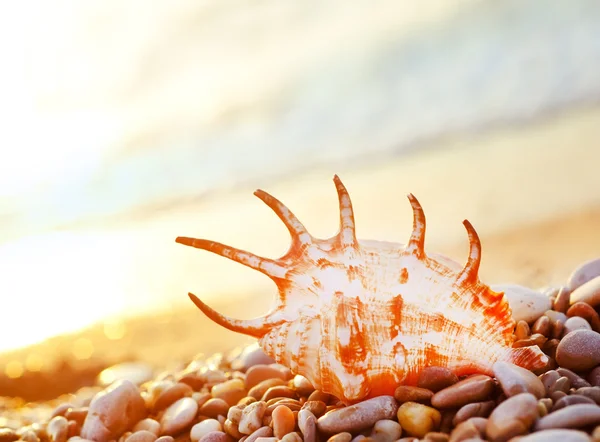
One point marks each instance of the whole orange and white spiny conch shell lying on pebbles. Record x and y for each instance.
(358, 318)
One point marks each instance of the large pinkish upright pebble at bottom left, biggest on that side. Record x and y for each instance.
(112, 411)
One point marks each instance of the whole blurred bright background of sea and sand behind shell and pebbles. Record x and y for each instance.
(126, 124)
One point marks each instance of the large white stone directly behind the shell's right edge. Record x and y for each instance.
(526, 304)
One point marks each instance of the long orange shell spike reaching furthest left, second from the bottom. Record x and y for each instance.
(267, 266)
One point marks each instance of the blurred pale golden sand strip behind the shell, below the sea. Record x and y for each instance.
(534, 203)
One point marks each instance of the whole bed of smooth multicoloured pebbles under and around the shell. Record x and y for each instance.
(243, 395)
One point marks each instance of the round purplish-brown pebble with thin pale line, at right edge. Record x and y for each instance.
(579, 350)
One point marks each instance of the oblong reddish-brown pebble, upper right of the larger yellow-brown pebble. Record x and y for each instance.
(475, 388)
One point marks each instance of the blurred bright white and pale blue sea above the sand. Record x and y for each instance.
(116, 112)
